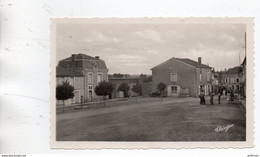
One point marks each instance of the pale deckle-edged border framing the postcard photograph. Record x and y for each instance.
(249, 143)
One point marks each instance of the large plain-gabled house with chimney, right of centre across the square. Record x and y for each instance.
(183, 77)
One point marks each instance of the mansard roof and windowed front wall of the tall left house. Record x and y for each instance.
(93, 69)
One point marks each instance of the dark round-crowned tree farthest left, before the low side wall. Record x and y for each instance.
(64, 91)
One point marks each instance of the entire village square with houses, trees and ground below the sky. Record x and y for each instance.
(164, 106)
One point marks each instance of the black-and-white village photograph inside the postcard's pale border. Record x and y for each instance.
(153, 81)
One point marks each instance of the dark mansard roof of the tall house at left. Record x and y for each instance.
(83, 61)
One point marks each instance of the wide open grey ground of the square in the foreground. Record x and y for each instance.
(150, 119)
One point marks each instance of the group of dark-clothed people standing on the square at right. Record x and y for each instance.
(230, 98)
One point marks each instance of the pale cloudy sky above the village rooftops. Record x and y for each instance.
(135, 48)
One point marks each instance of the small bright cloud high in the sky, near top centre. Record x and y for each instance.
(148, 34)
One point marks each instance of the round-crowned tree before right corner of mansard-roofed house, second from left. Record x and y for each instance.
(103, 89)
